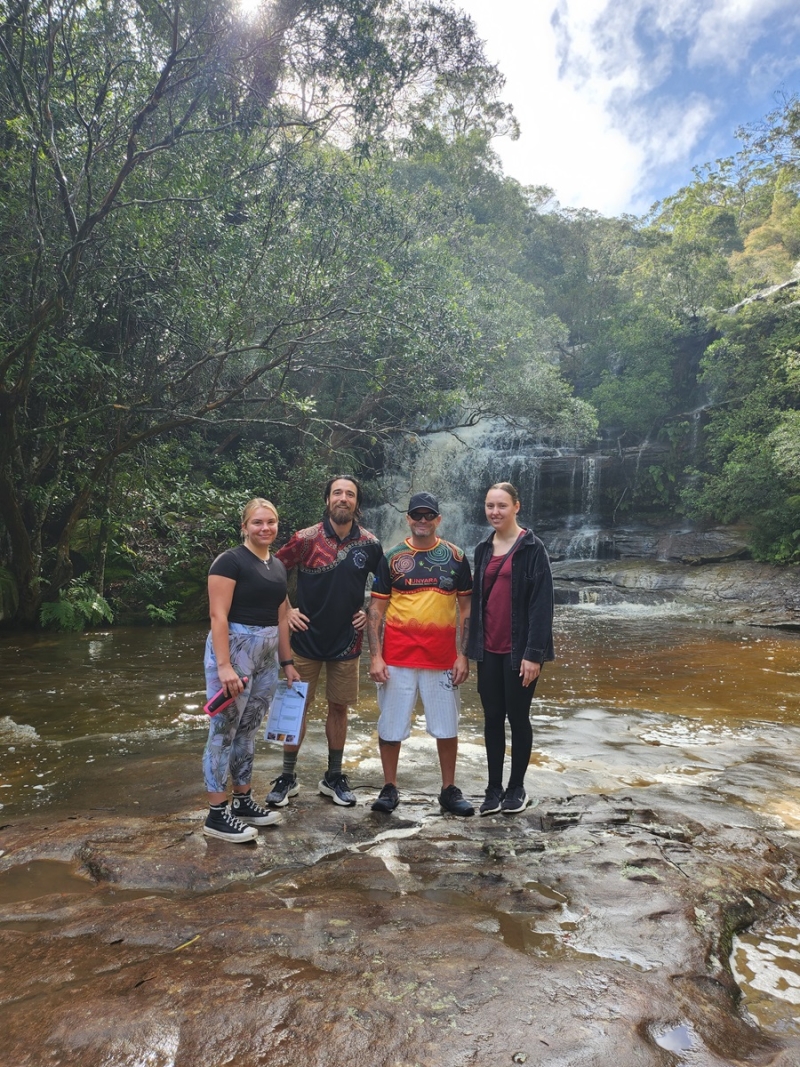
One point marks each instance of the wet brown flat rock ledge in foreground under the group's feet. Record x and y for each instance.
(587, 931)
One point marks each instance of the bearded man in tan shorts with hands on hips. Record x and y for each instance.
(334, 560)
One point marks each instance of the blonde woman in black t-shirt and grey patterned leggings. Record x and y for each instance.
(250, 633)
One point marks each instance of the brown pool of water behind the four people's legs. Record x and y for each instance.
(635, 698)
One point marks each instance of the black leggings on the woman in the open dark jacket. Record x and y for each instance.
(504, 697)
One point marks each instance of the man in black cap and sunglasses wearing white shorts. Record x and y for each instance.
(418, 624)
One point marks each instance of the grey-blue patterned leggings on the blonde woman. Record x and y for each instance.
(231, 744)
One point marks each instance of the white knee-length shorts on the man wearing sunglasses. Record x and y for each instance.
(396, 699)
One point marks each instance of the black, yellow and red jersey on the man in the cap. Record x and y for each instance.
(422, 586)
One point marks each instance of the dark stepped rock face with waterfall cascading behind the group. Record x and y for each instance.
(569, 499)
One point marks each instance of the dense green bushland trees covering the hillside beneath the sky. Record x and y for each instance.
(205, 297)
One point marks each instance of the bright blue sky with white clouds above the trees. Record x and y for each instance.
(619, 100)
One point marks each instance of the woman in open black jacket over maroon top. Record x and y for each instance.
(510, 636)
